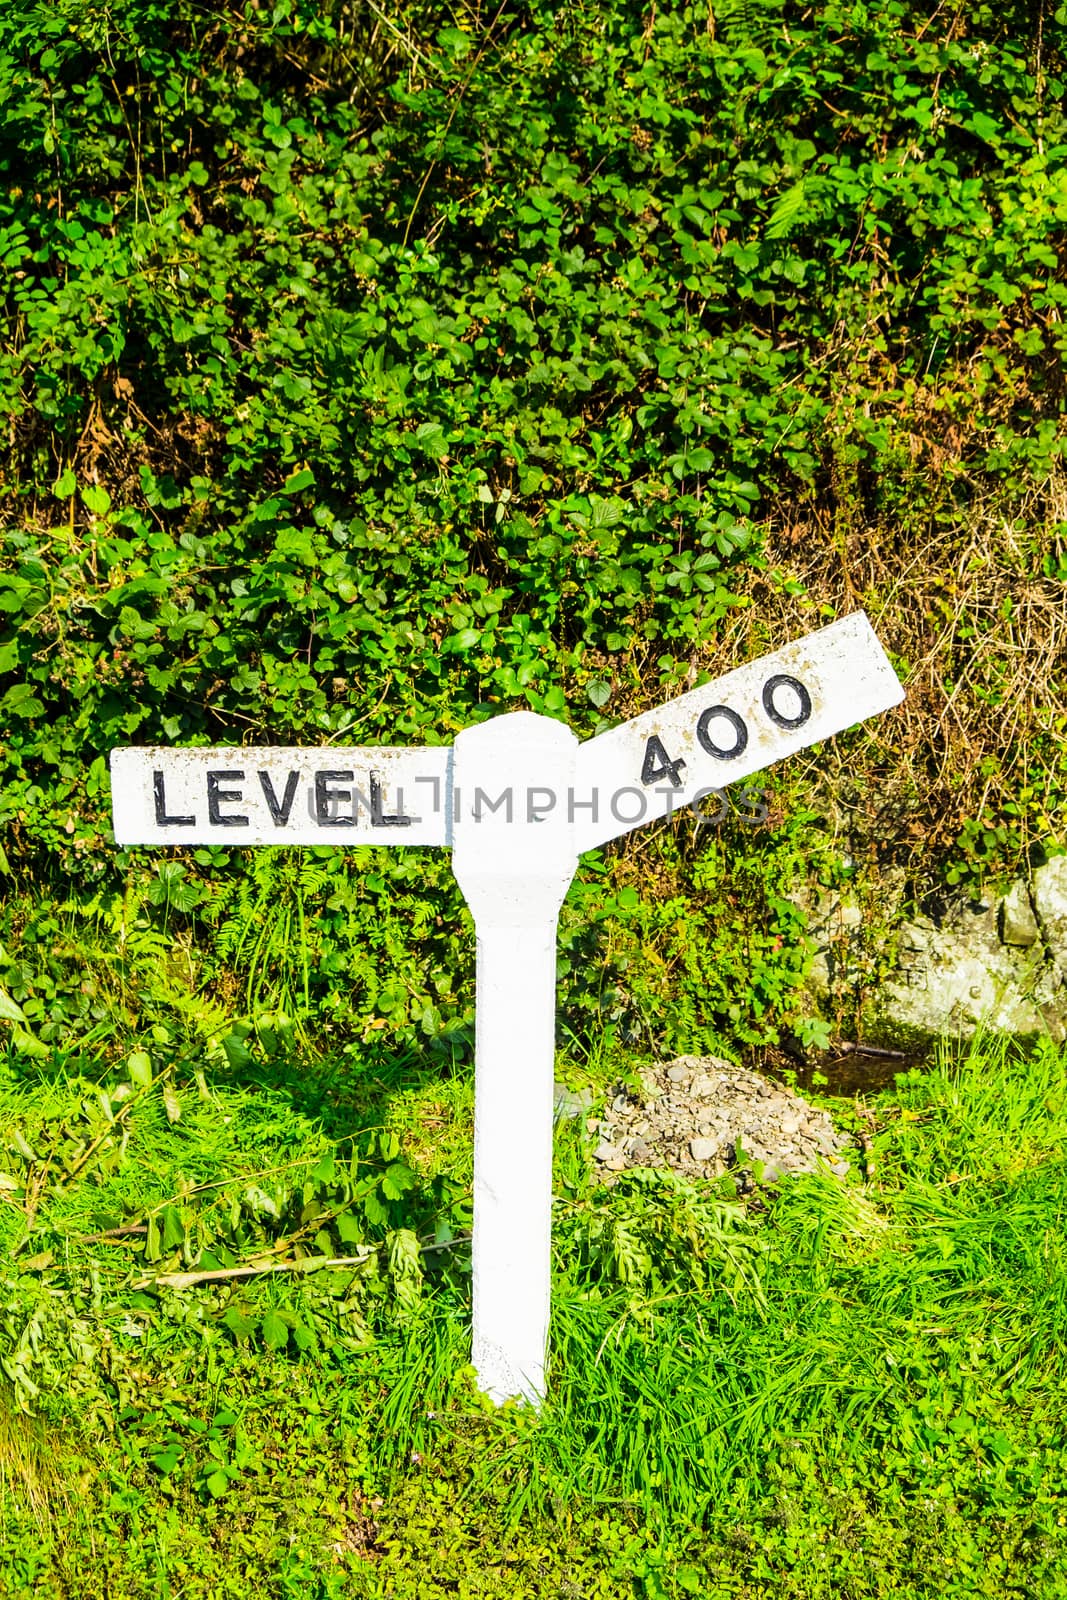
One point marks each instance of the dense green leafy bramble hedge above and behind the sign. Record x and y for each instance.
(372, 372)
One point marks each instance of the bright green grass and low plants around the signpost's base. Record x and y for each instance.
(855, 1393)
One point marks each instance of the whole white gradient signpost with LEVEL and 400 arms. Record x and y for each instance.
(518, 799)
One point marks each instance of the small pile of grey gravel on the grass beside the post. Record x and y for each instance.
(698, 1113)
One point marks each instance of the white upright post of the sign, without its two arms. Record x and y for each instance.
(514, 777)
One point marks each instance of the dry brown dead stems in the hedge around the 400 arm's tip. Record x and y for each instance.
(975, 618)
